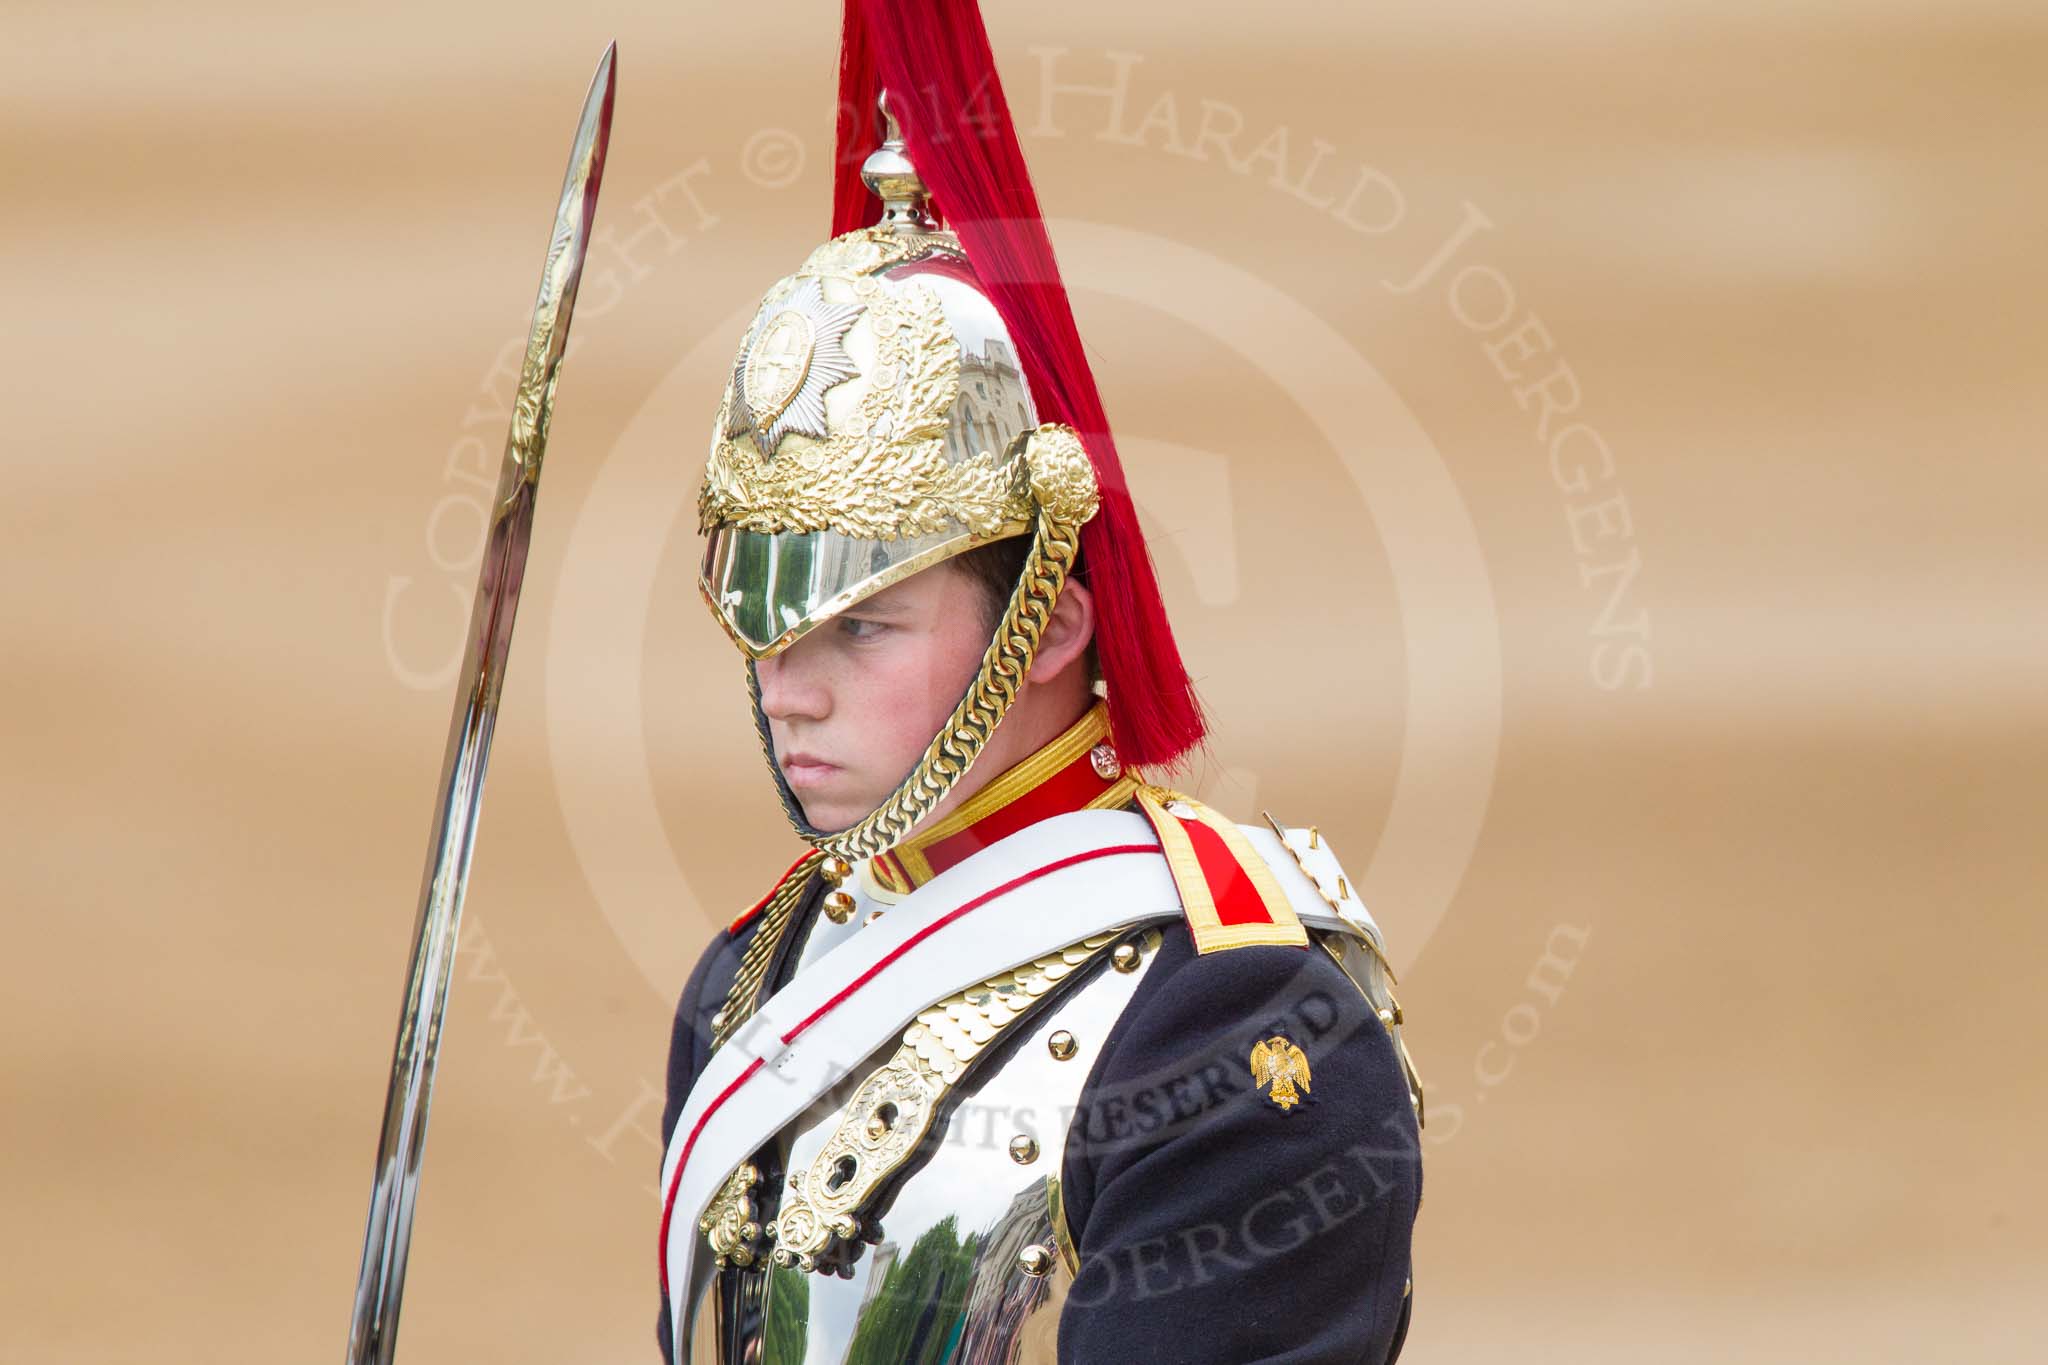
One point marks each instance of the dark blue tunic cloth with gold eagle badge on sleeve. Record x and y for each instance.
(1215, 1227)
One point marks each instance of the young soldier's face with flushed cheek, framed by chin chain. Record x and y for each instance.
(855, 705)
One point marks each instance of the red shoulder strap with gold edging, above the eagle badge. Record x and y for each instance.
(1226, 889)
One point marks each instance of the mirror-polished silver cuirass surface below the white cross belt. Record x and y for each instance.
(964, 1258)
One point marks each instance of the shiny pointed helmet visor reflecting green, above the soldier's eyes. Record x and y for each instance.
(773, 588)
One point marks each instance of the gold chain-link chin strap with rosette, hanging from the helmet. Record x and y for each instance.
(1064, 492)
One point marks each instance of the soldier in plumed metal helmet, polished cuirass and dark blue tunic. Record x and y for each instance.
(1029, 1057)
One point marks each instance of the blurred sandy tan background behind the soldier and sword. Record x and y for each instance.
(1754, 752)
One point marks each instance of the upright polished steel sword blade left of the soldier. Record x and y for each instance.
(388, 1237)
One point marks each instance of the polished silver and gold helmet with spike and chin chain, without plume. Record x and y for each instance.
(878, 423)
